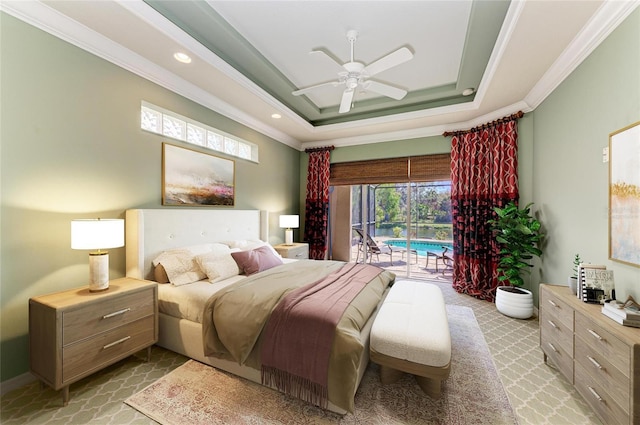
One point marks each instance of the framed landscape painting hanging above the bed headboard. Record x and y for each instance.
(193, 178)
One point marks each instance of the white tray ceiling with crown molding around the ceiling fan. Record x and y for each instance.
(537, 44)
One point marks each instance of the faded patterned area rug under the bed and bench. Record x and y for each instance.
(473, 394)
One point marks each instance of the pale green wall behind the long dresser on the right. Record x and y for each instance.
(570, 181)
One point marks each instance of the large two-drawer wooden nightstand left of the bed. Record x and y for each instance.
(75, 333)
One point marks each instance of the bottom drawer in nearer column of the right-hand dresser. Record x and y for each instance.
(597, 397)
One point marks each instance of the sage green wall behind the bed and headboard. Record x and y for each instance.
(72, 148)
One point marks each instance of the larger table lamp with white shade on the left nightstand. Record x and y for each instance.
(97, 234)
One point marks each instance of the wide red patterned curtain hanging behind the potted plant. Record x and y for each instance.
(484, 175)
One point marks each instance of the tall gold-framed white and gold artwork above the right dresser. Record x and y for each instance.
(624, 195)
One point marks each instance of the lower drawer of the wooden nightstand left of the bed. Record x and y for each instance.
(92, 354)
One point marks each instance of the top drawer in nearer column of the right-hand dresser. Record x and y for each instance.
(604, 344)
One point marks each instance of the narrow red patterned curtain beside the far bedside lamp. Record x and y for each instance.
(317, 203)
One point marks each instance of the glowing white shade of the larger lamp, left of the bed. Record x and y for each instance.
(97, 233)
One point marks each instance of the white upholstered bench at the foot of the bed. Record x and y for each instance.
(411, 334)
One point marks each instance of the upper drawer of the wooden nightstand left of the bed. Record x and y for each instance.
(92, 319)
